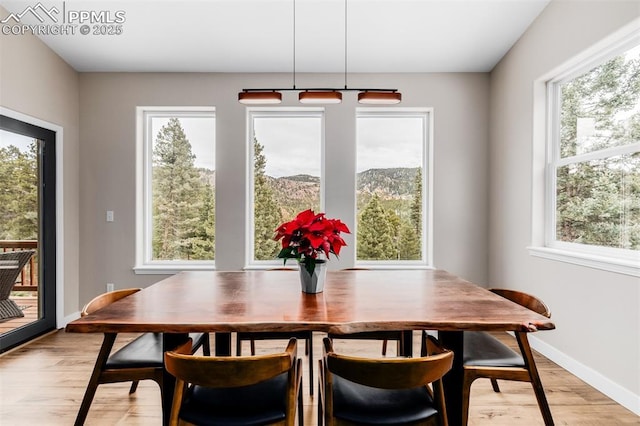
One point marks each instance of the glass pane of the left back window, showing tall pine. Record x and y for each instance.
(183, 187)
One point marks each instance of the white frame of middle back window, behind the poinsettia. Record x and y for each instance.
(280, 112)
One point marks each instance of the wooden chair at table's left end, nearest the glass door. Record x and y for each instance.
(140, 359)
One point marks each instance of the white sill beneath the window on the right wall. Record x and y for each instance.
(610, 264)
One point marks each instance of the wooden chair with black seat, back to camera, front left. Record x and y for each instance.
(244, 390)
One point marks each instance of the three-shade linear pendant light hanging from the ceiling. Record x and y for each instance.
(319, 95)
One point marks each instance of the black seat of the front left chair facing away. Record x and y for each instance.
(240, 406)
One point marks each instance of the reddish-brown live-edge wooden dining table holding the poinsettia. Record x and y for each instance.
(352, 301)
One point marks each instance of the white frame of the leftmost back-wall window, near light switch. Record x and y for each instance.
(144, 156)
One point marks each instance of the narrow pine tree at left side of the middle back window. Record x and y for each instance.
(267, 215)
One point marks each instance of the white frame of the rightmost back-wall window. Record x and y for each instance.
(426, 114)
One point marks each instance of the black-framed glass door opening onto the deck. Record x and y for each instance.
(27, 224)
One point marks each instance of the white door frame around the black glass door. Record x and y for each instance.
(59, 261)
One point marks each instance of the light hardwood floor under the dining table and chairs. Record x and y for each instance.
(43, 383)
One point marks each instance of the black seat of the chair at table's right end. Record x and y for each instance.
(483, 350)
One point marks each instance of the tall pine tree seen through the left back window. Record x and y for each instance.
(177, 189)
